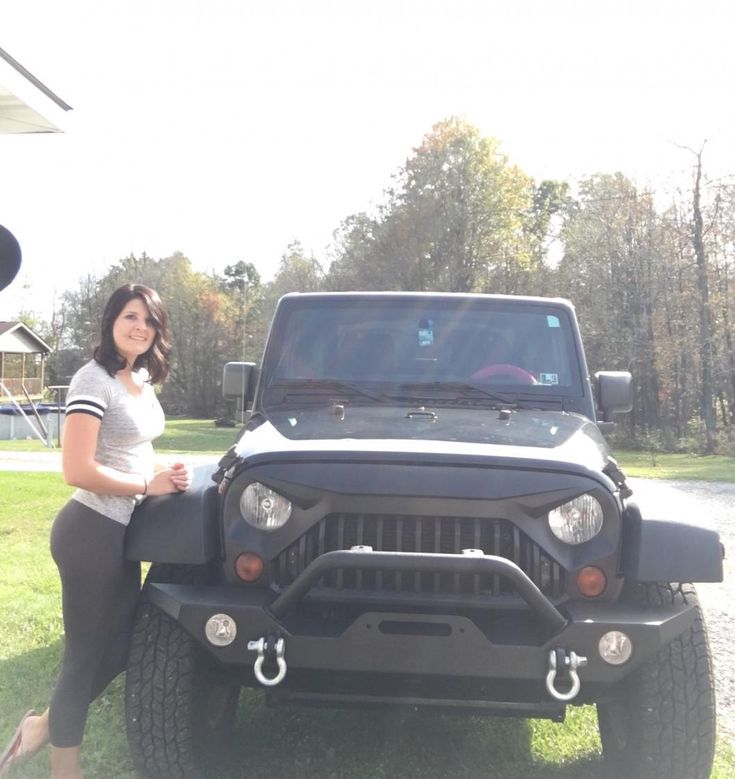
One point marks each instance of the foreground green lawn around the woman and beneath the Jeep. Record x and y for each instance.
(283, 743)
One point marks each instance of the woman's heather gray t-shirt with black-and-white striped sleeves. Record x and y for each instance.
(128, 425)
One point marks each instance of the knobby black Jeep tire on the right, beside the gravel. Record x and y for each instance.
(660, 722)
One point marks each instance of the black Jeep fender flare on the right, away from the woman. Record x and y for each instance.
(666, 550)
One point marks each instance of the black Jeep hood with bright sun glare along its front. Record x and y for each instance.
(532, 434)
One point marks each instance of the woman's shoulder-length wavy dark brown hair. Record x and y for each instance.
(156, 359)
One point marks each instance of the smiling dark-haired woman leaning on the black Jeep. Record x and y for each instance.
(112, 415)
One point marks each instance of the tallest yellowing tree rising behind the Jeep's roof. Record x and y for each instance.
(459, 218)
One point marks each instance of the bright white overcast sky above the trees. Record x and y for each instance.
(225, 129)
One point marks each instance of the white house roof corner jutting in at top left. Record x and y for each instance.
(27, 105)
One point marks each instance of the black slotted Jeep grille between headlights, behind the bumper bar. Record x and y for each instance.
(439, 535)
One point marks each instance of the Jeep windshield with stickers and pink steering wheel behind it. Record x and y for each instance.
(414, 348)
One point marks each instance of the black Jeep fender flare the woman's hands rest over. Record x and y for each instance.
(180, 528)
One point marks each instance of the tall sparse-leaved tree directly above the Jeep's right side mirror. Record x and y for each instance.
(611, 268)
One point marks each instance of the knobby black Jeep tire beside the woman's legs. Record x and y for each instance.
(179, 706)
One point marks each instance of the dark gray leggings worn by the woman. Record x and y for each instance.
(99, 590)
